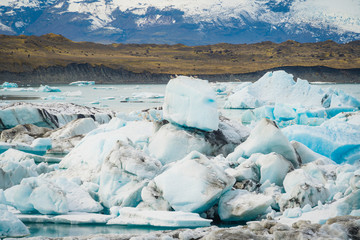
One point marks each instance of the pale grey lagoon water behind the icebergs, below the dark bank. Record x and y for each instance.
(113, 96)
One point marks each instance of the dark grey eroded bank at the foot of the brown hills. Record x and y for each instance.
(105, 75)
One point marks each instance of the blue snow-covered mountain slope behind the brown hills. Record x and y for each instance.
(184, 21)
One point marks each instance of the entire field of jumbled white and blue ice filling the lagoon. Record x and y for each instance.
(294, 160)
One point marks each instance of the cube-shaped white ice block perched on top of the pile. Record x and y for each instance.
(187, 102)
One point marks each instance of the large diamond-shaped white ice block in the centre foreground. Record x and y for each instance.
(194, 183)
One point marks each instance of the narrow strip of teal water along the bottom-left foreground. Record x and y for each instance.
(65, 230)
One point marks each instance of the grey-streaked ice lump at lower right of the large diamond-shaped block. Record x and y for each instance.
(241, 205)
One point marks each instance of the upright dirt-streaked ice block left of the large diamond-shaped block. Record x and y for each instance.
(122, 174)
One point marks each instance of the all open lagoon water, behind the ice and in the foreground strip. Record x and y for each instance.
(113, 97)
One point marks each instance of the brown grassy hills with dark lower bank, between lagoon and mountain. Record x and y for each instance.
(54, 59)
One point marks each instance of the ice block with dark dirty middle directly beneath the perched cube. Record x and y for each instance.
(173, 142)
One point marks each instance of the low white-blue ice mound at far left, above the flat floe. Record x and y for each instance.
(50, 196)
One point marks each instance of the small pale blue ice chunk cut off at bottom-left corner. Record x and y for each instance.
(10, 225)
